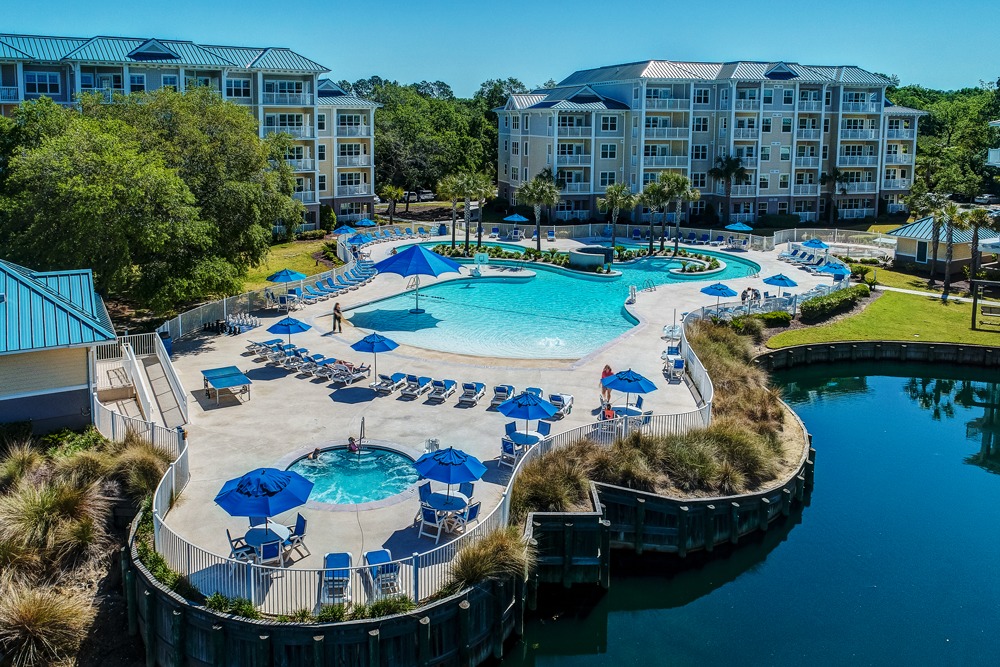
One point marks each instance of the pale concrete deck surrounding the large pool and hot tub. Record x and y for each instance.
(289, 414)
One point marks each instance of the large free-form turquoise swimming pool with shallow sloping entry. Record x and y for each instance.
(554, 315)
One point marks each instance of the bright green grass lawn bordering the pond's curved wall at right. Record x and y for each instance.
(896, 316)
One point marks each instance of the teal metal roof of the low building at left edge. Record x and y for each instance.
(40, 310)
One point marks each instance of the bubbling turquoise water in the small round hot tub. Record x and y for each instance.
(343, 477)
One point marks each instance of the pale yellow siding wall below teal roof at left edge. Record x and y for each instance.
(40, 371)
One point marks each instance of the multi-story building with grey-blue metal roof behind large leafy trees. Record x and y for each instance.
(278, 86)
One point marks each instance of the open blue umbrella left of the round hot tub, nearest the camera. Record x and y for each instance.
(264, 492)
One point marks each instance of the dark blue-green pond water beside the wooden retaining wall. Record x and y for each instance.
(895, 561)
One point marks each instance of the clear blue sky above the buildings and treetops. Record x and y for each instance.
(938, 44)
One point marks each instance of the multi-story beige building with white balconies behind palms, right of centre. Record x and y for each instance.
(790, 124)
